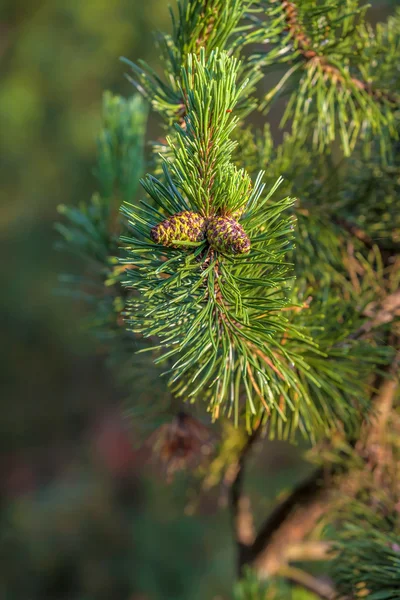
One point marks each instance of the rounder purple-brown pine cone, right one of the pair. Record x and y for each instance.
(226, 235)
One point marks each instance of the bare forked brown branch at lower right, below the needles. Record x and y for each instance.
(280, 539)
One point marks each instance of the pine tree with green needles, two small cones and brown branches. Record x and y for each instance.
(253, 289)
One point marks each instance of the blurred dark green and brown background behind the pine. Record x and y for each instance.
(82, 516)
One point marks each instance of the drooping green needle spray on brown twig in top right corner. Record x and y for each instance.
(332, 71)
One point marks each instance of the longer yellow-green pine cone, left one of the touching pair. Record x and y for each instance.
(186, 226)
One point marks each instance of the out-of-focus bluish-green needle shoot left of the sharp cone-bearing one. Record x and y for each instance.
(91, 230)
